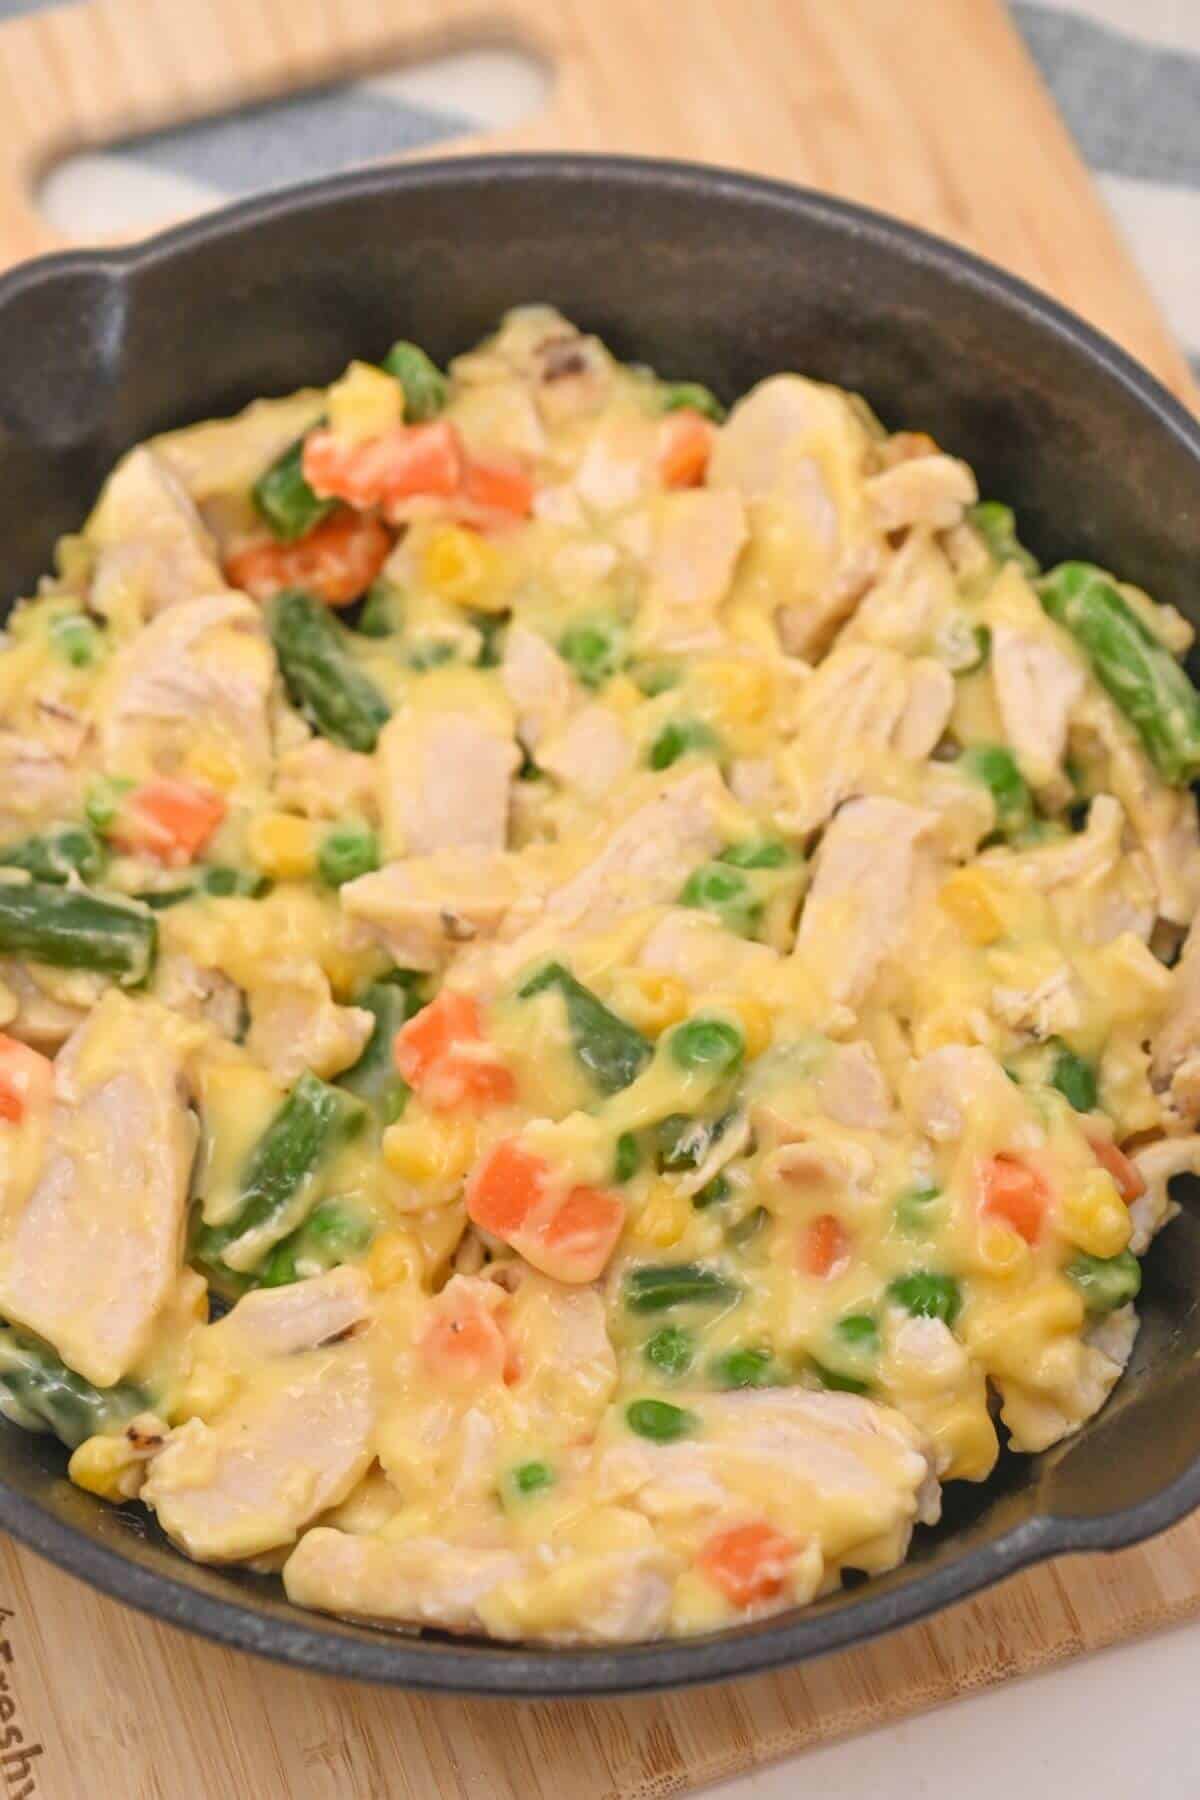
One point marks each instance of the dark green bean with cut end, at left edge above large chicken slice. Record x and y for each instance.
(76, 930)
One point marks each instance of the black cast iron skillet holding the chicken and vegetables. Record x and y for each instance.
(701, 274)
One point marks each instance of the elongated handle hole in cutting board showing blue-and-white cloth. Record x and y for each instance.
(143, 183)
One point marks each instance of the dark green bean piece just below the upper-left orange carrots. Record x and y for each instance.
(325, 683)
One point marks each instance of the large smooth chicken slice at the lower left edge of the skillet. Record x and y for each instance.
(94, 1254)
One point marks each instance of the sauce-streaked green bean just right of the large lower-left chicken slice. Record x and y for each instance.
(309, 1128)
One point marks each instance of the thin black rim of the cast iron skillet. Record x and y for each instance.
(310, 1642)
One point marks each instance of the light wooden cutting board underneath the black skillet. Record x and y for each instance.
(931, 112)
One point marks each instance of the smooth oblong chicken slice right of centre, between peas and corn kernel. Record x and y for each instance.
(870, 874)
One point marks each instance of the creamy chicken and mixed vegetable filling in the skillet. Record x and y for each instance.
(596, 994)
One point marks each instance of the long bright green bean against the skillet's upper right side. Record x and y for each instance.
(1133, 665)
